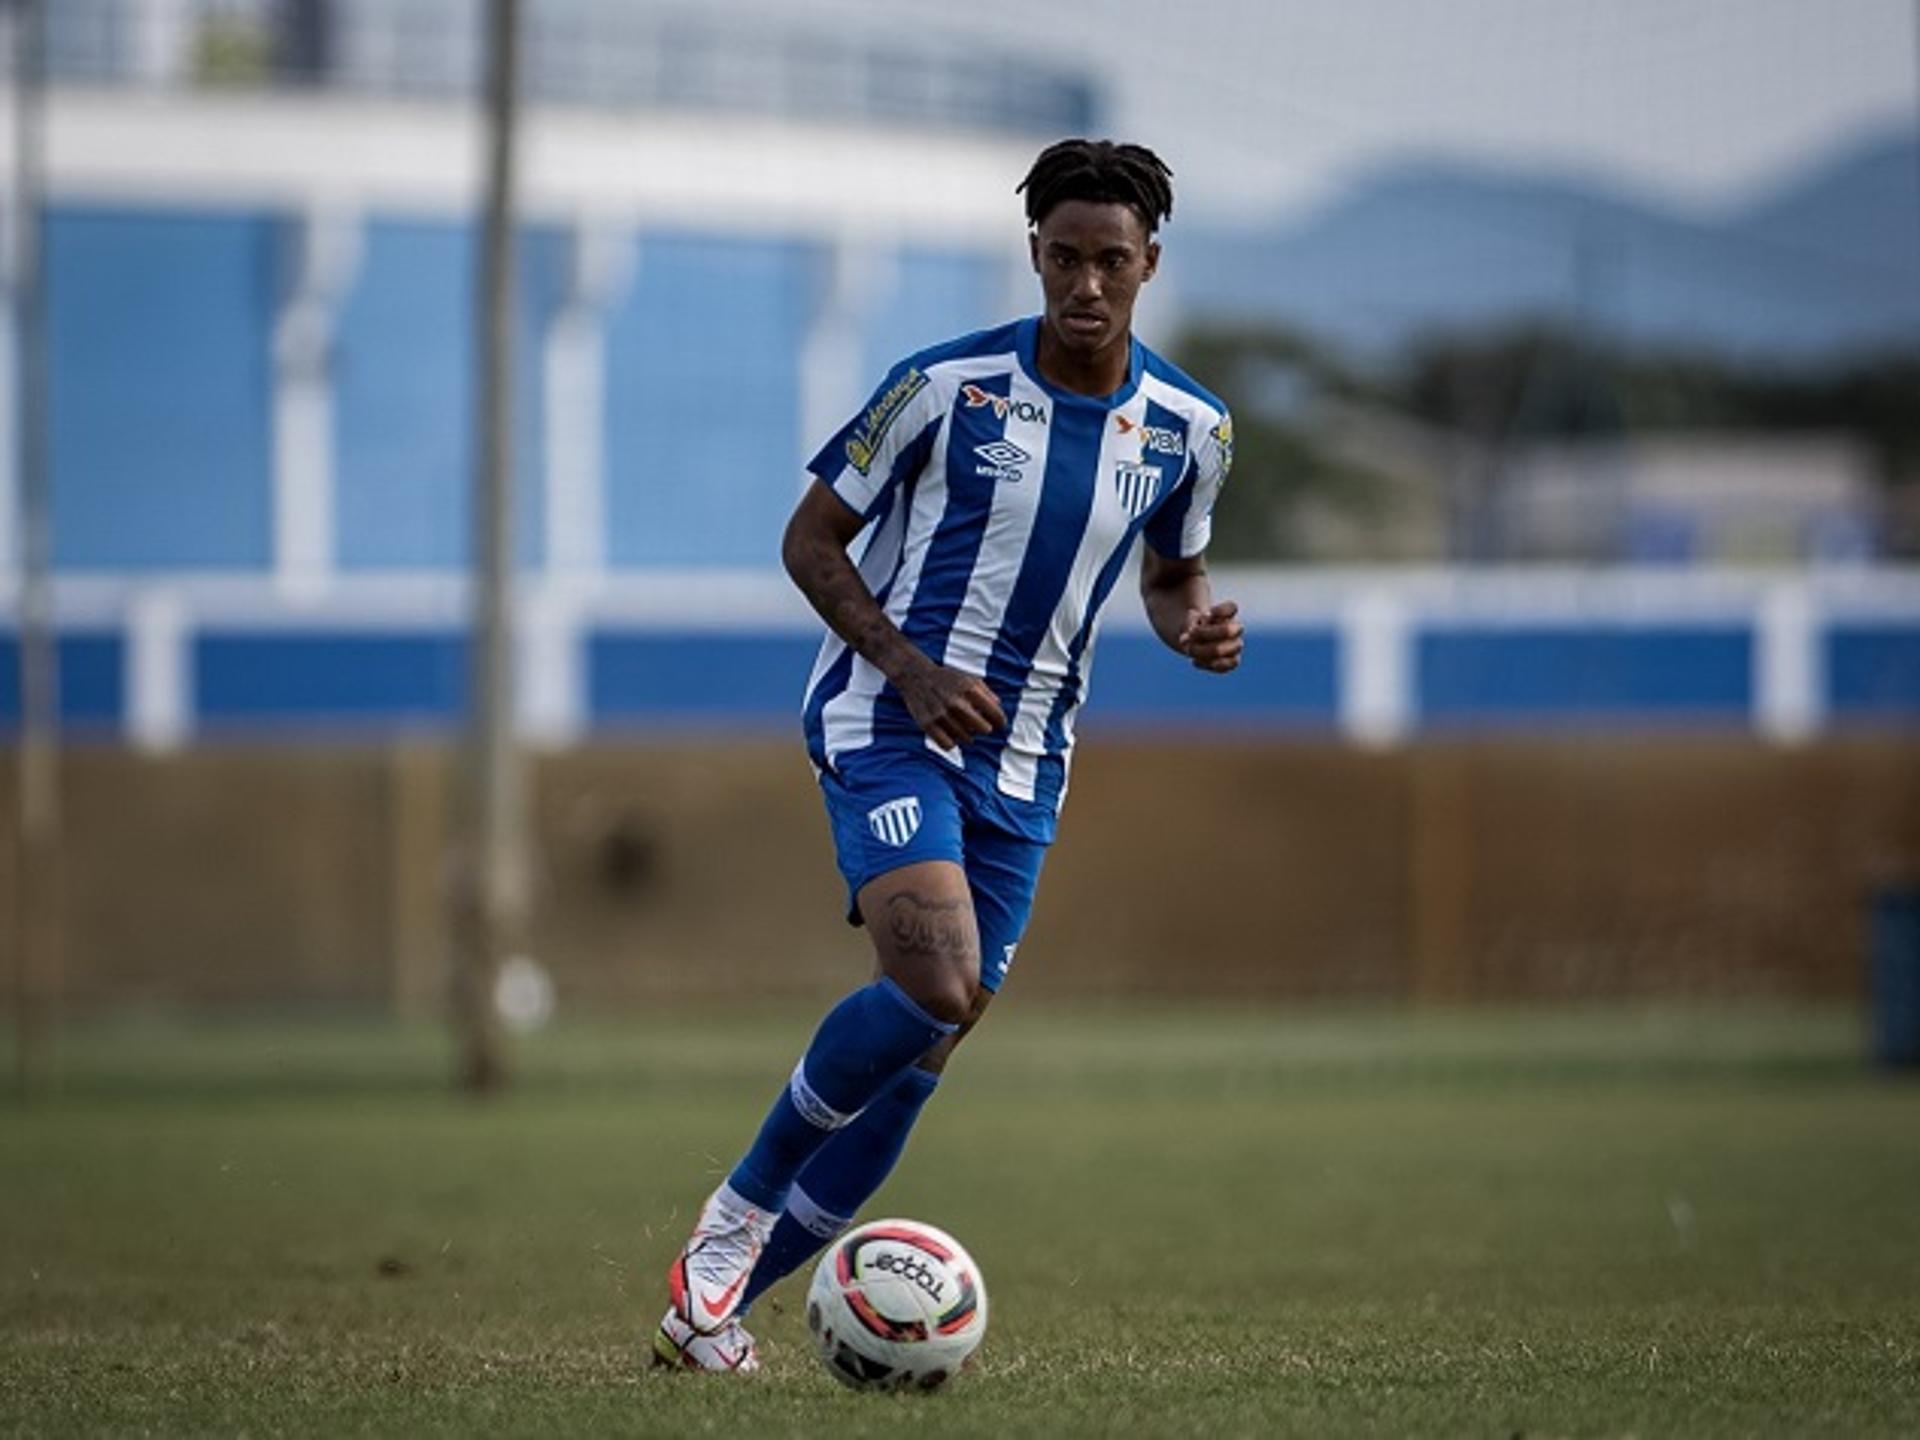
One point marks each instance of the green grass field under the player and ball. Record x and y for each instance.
(1195, 1222)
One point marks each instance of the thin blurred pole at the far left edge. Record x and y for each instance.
(39, 940)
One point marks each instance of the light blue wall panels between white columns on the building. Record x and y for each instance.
(162, 389)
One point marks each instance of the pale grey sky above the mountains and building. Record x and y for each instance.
(1268, 107)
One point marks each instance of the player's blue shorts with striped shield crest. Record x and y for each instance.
(896, 807)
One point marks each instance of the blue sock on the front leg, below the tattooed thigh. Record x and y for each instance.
(857, 1053)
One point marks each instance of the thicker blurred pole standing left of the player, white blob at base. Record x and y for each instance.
(494, 892)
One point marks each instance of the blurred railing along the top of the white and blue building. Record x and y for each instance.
(579, 53)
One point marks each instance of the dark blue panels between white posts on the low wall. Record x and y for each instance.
(345, 681)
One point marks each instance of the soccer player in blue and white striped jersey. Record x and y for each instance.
(999, 483)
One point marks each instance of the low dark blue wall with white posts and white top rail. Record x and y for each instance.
(1378, 658)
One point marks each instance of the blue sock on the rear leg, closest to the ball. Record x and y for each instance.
(840, 1180)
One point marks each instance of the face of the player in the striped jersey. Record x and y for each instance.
(1093, 260)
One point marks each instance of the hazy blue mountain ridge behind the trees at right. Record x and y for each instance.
(1825, 266)
